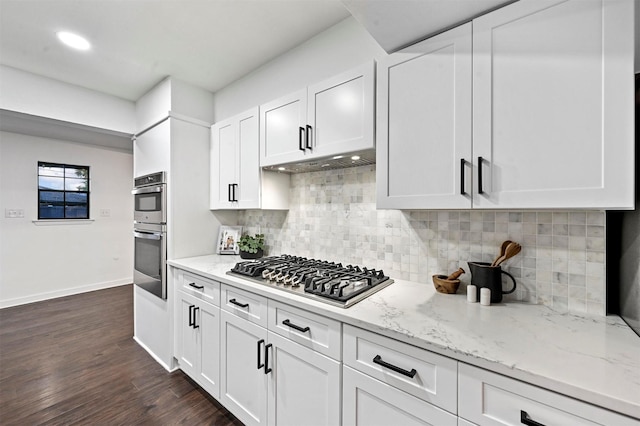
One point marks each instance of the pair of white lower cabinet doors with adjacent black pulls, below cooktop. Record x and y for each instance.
(269, 379)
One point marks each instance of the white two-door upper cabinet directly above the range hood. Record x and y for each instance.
(335, 116)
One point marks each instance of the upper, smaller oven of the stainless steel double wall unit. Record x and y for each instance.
(150, 198)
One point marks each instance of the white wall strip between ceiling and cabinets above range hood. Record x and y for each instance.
(343, 46)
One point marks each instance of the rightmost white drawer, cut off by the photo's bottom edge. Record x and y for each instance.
(488, 398)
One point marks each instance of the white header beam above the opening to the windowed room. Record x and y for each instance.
(36, 95)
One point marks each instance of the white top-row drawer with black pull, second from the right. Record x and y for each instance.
(434, 377)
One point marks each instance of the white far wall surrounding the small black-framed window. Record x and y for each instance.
(41, 262)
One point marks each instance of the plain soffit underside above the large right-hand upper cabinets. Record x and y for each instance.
(395, 24)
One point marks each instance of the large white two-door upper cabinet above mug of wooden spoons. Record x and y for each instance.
(549, 105)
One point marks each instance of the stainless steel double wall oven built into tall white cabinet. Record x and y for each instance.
(150, 236)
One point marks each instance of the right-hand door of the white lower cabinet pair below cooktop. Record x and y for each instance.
(304, 386)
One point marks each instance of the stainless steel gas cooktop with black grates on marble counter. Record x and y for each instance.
(328, 282)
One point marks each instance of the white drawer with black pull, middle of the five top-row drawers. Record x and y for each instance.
(308, 329)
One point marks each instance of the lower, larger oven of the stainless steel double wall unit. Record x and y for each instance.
(150, 256)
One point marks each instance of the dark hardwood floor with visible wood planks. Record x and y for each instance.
(73, 361)
